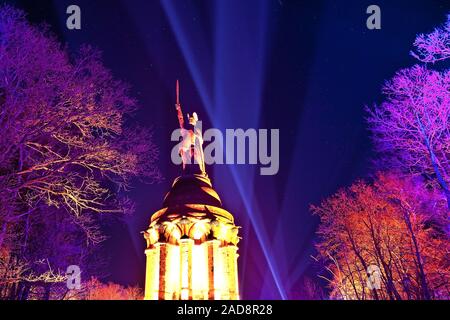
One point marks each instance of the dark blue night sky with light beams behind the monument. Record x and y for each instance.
(307, 68)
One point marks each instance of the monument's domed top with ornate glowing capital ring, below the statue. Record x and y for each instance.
(192, 209)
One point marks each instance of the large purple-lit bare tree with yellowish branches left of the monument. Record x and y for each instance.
(68, 147)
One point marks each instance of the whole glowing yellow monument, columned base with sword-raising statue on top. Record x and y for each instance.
(192, 241)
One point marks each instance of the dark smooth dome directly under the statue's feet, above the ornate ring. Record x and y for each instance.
(192, 189)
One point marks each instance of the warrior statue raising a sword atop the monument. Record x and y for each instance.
(191, 146)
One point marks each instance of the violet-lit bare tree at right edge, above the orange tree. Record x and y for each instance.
(411, 128)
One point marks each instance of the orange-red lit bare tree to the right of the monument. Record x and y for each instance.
(392, 224)
